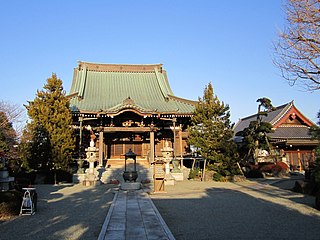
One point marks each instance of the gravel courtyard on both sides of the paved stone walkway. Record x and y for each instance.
(191, 209)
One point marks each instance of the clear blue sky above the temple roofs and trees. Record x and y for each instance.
(228, 43)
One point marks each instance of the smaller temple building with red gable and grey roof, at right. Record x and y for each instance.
(291, 134)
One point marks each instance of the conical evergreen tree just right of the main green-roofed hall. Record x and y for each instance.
(212, 135)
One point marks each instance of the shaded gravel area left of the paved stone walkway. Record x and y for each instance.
(64, 212)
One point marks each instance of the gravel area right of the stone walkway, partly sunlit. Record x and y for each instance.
(246, 210)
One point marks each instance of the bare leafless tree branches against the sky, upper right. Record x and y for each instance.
(298, 49)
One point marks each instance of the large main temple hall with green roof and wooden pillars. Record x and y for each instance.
(126, 106)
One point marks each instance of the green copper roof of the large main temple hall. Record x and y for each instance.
(111, 88)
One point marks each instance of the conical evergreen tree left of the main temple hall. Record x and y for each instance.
(52, 137)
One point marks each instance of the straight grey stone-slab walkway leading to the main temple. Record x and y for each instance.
(133, 215)
